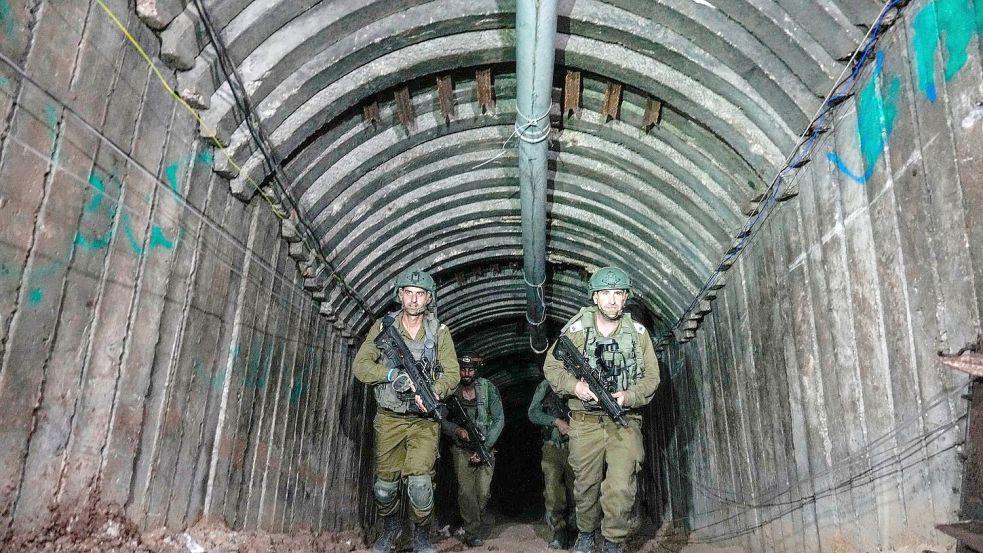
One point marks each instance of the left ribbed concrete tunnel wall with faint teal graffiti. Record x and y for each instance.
(159, 352)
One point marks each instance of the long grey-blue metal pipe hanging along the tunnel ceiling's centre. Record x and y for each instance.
(534, 44)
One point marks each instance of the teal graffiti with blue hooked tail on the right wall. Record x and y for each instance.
(875, 122)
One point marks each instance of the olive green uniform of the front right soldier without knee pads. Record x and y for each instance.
(604, 456)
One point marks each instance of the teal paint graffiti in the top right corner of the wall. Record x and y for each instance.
(953, 19)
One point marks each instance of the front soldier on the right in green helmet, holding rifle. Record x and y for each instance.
(605, 456)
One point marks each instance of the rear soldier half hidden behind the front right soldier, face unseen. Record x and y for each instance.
(552, 414)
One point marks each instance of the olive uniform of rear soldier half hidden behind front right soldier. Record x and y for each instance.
(557, 474)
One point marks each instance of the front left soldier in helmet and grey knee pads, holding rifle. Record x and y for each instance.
(406, 437)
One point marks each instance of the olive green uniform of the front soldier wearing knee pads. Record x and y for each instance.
(405, 441)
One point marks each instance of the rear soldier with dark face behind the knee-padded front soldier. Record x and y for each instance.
(478, 398)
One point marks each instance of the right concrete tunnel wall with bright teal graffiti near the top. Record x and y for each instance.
(810, 412)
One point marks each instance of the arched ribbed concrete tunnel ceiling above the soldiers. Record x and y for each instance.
(387, 186)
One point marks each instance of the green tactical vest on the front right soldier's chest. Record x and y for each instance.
(626, 361)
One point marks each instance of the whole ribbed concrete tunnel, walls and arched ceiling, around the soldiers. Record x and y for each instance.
(203, 206)
